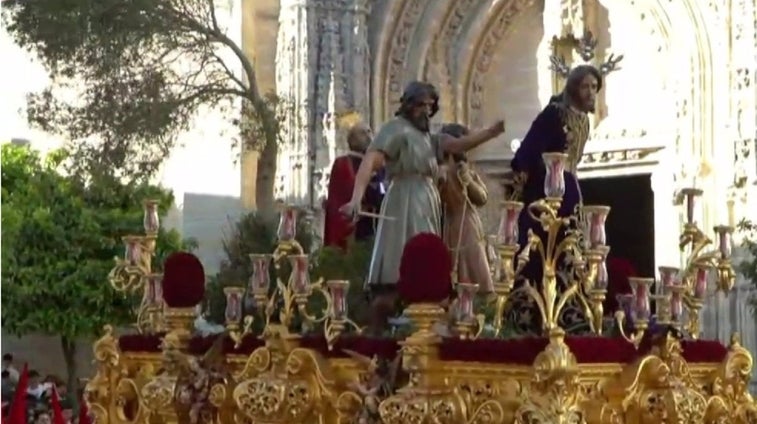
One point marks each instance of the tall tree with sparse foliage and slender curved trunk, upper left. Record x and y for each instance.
(140, 70)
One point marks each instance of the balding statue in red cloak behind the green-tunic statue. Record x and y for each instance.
(337, 227)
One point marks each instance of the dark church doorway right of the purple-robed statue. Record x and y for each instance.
(630, 225)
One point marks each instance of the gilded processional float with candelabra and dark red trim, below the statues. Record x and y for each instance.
(296, 357)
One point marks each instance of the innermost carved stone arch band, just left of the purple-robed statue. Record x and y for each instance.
(485, 50)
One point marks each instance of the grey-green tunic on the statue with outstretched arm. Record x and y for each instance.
(412, 199)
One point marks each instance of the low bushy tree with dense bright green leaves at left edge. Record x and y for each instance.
(60, 235)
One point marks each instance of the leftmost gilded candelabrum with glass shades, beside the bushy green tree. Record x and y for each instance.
(134, 272)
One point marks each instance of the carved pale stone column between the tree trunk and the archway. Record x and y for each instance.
(322, 69)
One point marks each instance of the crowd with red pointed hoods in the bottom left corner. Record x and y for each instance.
(28, 398)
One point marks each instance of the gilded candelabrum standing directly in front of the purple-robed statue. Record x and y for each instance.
(572, 250)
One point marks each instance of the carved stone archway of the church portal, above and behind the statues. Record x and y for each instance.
(406, 50)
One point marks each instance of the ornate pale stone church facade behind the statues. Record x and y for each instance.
(679, 113)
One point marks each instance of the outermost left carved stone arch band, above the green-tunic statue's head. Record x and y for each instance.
(409, 16)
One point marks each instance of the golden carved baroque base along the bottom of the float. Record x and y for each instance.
(285, 383)
